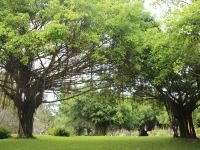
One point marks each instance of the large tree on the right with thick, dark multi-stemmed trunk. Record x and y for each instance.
(170, 66)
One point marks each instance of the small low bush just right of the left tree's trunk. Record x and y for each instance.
(58, 132)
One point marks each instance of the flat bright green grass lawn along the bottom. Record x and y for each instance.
(99, 143)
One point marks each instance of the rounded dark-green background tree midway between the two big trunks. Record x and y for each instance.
(97, 109)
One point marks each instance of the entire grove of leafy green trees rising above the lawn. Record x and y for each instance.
(99, 54)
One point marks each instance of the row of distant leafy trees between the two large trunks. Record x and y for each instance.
(98, 114)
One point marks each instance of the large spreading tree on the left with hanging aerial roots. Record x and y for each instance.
(47, 45)
